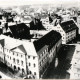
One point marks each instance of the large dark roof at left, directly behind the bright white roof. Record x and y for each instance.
(20, 31)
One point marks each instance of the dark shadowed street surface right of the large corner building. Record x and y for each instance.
(65, 56)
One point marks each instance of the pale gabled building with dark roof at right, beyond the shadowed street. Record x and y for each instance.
(68, 31)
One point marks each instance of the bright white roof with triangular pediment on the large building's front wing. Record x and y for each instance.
(18, 45)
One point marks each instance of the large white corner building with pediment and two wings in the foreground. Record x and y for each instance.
(31, 58)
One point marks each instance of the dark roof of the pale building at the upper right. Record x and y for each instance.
(68, 26)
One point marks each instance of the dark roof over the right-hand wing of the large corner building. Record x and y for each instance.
(51, 37)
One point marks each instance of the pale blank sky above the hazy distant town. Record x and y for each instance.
(67, 3)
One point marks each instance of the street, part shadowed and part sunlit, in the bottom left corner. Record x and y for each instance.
(8, 73)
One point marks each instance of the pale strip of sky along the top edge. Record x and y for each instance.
(6, 3)
